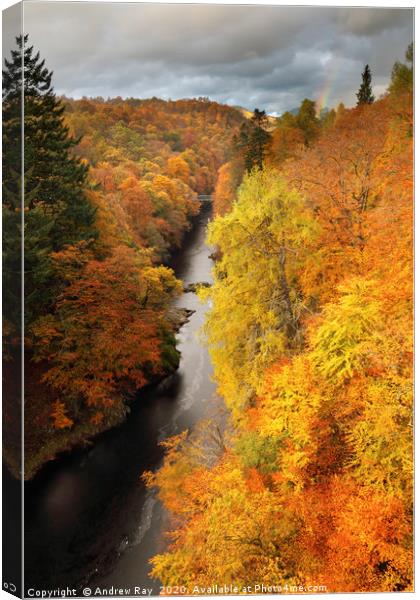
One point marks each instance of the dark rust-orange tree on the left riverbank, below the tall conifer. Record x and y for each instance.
(106, 338)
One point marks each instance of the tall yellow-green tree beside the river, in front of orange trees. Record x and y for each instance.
(264, 236)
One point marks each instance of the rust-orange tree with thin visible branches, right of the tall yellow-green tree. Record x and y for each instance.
(337, 174)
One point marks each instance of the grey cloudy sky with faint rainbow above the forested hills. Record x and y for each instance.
(253, 56)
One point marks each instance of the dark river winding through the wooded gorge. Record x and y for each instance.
(89, 520)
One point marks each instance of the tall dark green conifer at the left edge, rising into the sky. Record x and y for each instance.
(56, 209)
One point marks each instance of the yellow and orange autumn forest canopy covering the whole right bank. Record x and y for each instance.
(311, 336)
